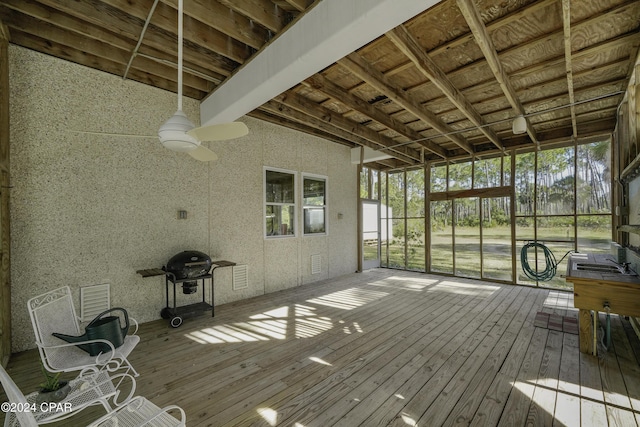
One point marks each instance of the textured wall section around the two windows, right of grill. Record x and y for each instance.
(237, 187)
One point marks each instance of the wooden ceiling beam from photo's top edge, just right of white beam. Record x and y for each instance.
(482, 38)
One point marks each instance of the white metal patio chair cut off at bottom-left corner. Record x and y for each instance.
(89, 389)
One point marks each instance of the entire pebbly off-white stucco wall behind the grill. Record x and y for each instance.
(94, 209)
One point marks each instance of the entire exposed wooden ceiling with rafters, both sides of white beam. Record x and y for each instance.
(425, 89)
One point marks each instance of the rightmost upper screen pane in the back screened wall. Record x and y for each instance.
(594, 178)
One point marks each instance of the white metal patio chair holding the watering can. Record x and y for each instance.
(54, 312)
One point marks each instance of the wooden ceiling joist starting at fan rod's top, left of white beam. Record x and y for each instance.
(215, 15)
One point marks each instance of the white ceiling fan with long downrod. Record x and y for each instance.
(178, 133)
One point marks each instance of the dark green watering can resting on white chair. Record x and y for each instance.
(106, 328)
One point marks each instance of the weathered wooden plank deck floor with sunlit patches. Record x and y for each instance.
(380, 348)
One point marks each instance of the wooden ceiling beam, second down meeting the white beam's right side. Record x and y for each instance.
(360, 67)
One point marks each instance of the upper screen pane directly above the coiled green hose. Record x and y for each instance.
(555, 195)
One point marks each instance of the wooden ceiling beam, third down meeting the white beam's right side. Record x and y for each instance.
(318, 82)
